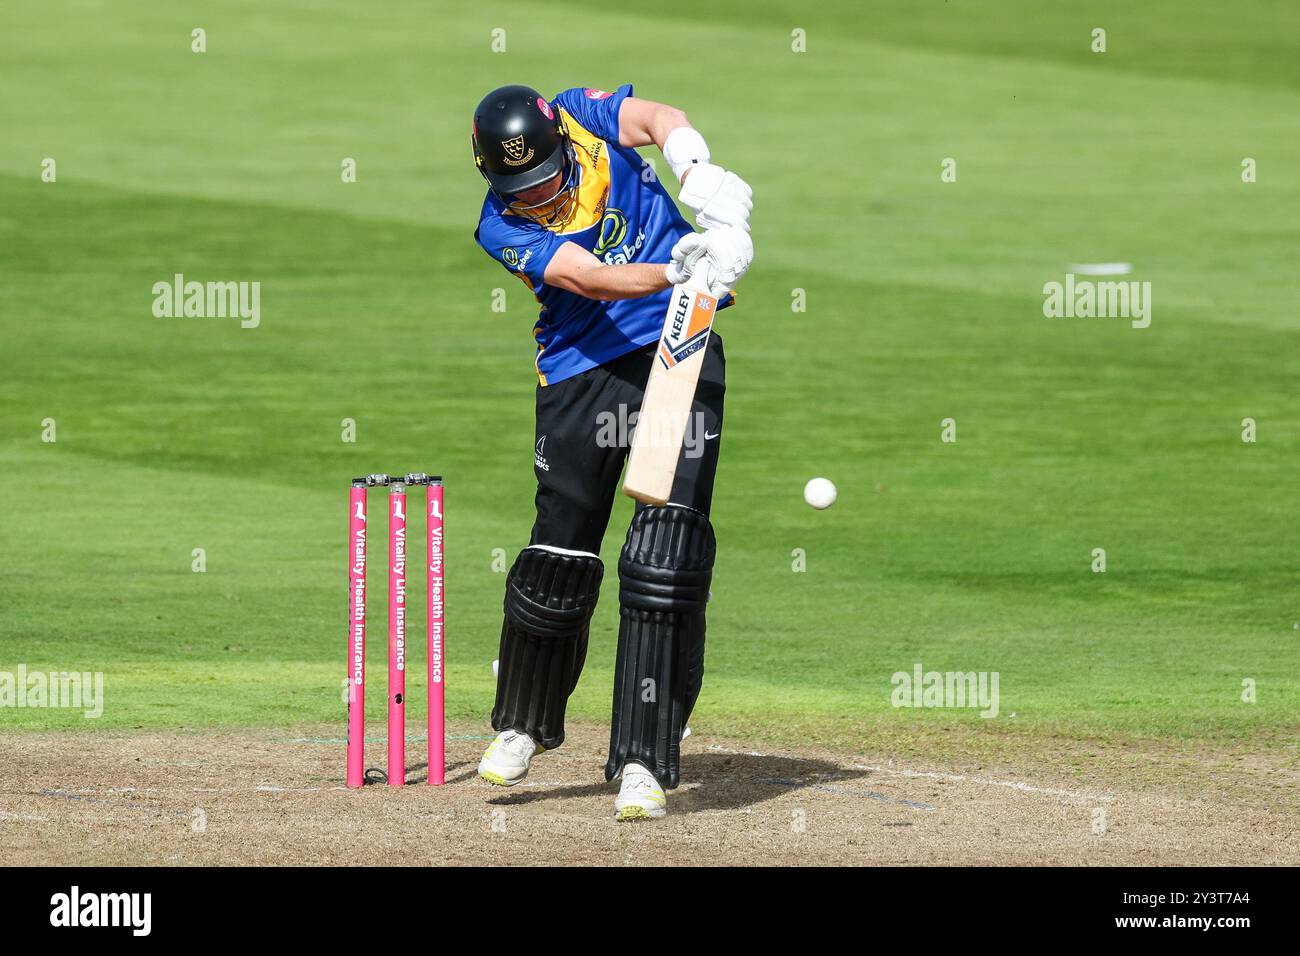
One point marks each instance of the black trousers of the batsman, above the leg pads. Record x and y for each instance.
(582, 444)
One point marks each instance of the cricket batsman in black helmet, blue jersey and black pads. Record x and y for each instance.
(590, 228)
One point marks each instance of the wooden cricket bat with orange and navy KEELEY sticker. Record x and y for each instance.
(670, 391)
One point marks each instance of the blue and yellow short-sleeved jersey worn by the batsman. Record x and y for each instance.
(623, 215)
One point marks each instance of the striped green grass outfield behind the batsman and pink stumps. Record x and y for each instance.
(924, 304)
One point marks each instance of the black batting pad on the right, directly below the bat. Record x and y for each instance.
(665, 573)
